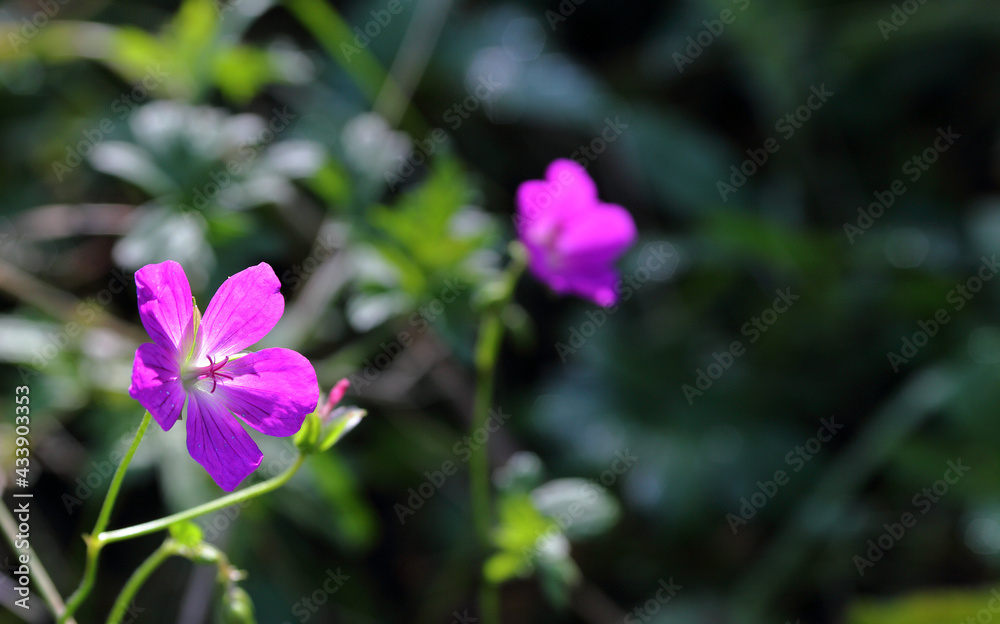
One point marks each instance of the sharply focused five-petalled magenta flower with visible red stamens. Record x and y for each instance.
(201, 361)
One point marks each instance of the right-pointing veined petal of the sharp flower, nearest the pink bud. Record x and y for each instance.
(272, 390)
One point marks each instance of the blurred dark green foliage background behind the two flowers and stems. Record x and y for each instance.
(792, 415)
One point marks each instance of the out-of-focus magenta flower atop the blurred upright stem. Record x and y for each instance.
(573, 239)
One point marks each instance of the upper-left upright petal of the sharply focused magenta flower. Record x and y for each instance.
(165, 306)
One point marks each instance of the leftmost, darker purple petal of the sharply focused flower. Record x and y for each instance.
(156, 383)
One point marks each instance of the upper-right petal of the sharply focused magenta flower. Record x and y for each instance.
(244, 309)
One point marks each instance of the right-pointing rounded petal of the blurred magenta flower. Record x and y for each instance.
(600, 234)
